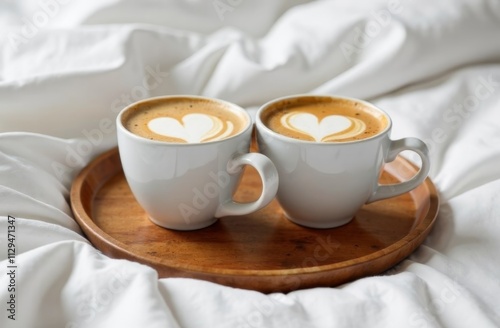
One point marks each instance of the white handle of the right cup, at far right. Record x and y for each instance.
(397, 146)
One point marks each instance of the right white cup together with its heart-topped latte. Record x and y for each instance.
(329, 152)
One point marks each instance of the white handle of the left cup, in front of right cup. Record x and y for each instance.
(268, 175)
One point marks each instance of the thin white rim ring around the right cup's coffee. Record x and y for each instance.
(261, 124)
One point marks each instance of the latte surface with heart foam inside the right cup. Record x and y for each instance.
(324, 119)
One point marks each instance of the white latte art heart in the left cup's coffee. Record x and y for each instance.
(194, 127)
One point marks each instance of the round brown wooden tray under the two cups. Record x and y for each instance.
(262, 251)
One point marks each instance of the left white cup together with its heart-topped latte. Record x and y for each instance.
(182, 157)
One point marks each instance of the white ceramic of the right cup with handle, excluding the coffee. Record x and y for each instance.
(324, 184)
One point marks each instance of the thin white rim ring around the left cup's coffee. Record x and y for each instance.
(120, 127)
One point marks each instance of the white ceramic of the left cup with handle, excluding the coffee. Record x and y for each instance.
(187, 186)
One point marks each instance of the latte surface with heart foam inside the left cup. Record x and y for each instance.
(184, 120)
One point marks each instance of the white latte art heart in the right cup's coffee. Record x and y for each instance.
(330, 128)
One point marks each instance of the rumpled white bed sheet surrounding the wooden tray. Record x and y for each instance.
(67, 67)
